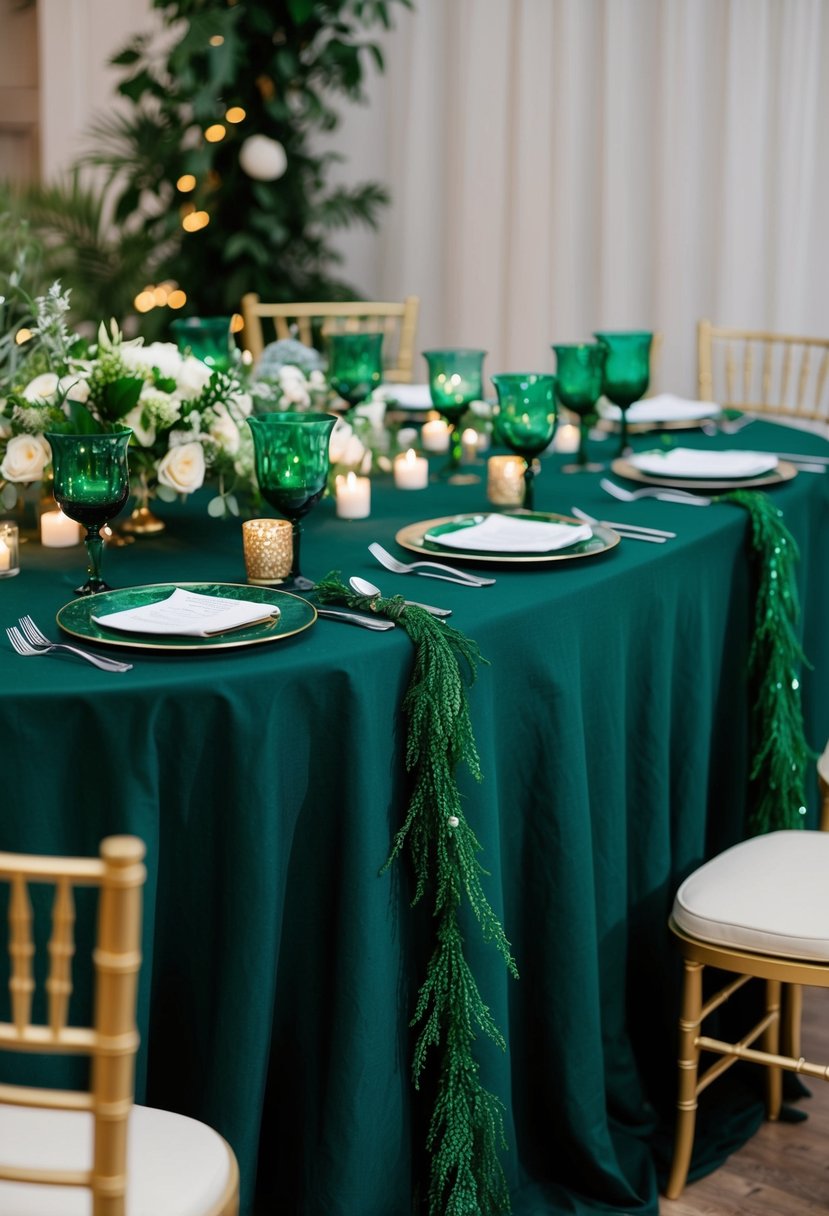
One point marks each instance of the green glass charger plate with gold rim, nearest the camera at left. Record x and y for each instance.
(76, 618)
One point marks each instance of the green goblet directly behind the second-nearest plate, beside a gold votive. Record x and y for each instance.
(526, 421)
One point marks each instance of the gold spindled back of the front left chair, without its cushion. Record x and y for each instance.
(112, 1040)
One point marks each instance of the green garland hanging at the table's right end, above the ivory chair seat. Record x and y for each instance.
(779, 744)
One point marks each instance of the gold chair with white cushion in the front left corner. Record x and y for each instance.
(59, 1147)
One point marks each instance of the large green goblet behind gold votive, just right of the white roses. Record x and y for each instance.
(291, 454)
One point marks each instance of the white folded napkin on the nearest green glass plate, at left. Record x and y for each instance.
(189, 615)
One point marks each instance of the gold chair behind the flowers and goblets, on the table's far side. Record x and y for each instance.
(312, 324)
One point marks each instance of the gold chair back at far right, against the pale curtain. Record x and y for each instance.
(764, 373)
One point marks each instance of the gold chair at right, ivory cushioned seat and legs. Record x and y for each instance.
(759, 910)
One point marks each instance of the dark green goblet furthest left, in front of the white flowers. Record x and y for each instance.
(92, 486)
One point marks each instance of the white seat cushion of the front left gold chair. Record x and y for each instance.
(177, 1167)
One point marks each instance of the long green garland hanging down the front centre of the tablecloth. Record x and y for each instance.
(467, 1124)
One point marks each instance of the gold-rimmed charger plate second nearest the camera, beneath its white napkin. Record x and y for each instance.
(413, 538)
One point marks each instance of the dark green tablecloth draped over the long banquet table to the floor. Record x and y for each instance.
(280, 970)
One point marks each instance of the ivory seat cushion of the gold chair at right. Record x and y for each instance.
(769, 896)
